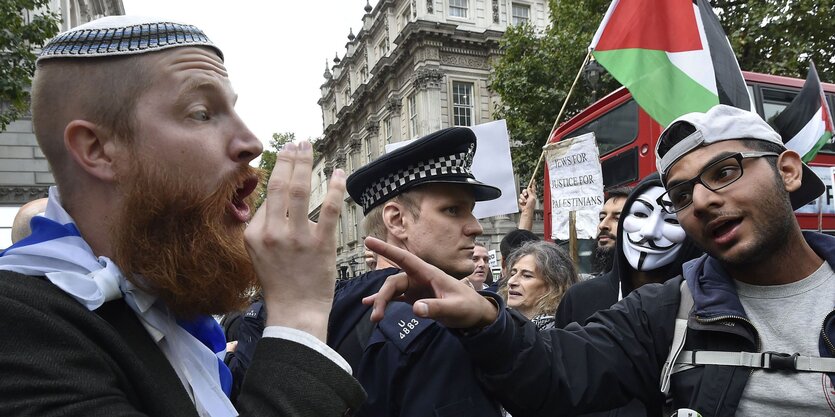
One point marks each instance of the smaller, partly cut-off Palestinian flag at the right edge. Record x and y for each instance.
(806, 124)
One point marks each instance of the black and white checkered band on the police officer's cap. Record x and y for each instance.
(455, 164)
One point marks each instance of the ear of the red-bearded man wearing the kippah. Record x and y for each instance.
(91, 147)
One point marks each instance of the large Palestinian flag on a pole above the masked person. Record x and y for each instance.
(672, 55)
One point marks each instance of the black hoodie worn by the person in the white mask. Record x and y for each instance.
(586, 298)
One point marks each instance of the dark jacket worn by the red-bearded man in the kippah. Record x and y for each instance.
(60, 359)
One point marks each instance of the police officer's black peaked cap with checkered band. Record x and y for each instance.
(445, 156)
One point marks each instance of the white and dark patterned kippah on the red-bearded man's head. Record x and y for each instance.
(124, 35)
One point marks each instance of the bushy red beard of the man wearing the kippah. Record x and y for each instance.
(179, 244)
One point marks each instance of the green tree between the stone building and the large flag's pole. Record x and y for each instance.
(535, 74)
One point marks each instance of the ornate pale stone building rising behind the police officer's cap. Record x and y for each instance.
(414, 67)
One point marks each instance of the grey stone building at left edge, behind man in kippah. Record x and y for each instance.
(24, 173)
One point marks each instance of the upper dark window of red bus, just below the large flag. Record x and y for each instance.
(613, 129)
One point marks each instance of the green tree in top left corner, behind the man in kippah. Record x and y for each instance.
(21, 32)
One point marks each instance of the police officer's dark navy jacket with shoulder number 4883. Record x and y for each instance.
(410, 366)
